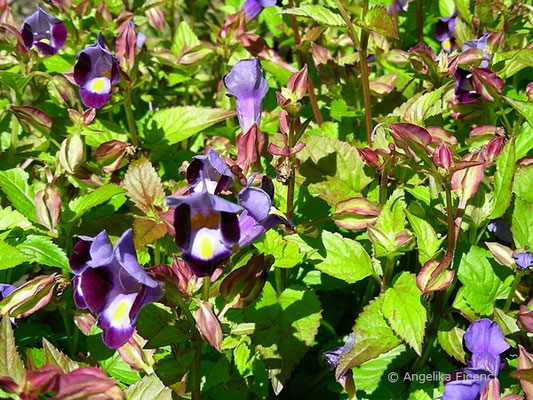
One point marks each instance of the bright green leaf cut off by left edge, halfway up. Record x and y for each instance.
(14, 183)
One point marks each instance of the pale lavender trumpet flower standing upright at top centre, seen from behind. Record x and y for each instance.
(246, 83)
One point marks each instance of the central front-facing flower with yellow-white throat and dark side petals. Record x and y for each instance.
(206, 229)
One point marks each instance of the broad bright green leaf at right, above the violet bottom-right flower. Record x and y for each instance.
(484, 281)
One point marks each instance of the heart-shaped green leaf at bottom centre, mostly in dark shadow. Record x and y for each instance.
(293, 319)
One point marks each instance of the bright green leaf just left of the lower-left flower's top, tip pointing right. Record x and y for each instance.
(44, 251)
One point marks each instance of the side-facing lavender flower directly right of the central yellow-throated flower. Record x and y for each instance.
(259, 214)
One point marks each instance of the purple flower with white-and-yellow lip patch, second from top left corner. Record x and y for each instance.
(95, 71)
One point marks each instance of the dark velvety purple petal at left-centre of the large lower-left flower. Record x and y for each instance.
(94, 286)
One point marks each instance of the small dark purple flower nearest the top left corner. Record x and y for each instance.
(44, 31)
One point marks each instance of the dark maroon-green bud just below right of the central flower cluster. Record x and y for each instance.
(244, 284)
